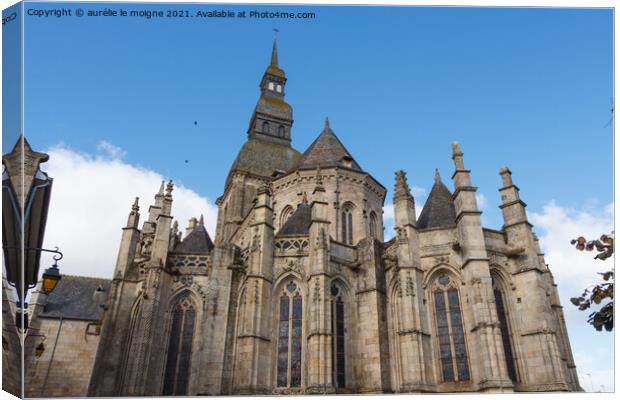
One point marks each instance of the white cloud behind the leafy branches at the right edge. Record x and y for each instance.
(573, 271)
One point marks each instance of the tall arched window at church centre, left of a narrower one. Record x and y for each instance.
(289, 337)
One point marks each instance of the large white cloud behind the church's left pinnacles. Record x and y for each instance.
(91, 199)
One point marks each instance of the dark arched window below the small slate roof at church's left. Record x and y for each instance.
(176, 376)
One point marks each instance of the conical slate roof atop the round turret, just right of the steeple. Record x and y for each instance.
(327, 151)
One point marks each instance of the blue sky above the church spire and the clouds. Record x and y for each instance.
(529, 88)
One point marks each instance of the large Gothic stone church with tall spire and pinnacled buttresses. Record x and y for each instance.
(299, 293)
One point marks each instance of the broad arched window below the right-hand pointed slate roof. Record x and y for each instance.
(450, 333)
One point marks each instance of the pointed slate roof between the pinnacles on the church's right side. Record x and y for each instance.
(438, 209)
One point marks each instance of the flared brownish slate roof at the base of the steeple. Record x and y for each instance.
(262, 158)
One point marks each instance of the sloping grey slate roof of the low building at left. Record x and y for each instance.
(74, 298)
